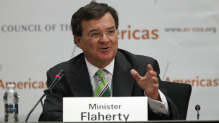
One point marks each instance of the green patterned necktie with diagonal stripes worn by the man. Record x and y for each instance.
(102, 88)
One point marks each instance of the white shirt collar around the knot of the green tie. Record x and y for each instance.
(93, 69)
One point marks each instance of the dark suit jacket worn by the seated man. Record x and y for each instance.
(76, 83)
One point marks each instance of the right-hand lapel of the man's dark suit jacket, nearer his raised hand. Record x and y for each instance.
(123, 82)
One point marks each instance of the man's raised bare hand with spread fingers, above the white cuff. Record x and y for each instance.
(148, 82)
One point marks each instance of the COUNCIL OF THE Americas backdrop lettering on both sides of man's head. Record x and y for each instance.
(128, 33)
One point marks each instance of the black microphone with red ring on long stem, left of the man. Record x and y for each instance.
(47, 91)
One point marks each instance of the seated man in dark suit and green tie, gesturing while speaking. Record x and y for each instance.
(95, 30)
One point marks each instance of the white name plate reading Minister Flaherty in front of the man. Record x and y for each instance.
(108, 109)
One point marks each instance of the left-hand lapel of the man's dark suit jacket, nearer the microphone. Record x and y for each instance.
(78, 78)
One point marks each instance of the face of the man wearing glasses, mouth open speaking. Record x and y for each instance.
(99, 49)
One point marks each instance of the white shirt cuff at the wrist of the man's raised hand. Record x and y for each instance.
(159, 106)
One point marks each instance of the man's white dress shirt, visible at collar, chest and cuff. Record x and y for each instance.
(156, 106)
